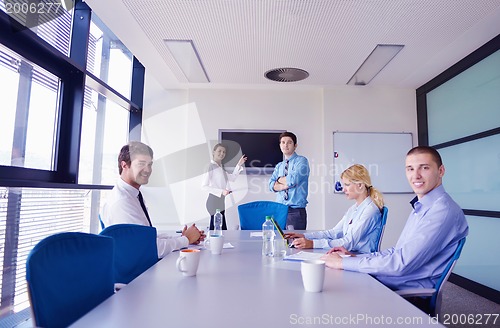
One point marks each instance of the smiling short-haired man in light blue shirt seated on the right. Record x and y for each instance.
(429, 238)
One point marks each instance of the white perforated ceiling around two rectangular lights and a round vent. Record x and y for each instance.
(239, 40)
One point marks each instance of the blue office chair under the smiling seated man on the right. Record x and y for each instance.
(435, 294)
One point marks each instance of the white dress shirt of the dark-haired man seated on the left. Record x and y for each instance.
(122, 206)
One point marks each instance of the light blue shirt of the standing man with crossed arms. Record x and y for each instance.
(297, 180)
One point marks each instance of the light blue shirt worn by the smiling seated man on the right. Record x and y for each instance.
(427, 243)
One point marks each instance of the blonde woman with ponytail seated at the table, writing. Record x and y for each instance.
(359, 229)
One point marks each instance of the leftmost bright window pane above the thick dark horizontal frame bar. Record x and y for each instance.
(29, 113)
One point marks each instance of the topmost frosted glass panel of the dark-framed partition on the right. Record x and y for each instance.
(467, 104)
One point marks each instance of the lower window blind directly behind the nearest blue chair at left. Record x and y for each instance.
(34, 214)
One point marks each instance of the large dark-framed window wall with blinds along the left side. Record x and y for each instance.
(49, 119)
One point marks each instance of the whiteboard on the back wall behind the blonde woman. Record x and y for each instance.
(383, 154)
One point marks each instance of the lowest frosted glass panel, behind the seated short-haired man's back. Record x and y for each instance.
(476, 262)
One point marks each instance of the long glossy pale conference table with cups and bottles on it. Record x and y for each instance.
(241, 288)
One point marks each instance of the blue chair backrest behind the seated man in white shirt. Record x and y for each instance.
(135, 250)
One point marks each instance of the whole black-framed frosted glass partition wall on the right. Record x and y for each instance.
(459, 114)
